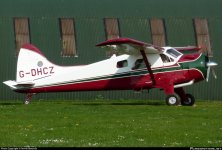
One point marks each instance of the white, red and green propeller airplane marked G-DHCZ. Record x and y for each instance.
(138, 66)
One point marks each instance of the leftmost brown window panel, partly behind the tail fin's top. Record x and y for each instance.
(21, 26)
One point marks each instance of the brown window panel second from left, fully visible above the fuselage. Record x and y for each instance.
(68, 37)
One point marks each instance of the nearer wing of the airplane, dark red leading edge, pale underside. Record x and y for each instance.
(130, 46)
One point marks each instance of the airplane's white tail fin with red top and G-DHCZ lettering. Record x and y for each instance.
(32, 65)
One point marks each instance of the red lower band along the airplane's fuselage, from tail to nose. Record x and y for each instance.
(125, 83)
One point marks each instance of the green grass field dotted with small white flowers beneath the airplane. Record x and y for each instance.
(110, 123)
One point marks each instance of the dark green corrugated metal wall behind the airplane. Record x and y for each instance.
(134, 21)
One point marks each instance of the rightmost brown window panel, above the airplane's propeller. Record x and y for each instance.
(202, 35)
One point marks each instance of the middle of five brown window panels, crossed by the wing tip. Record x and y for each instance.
(112, 31)
